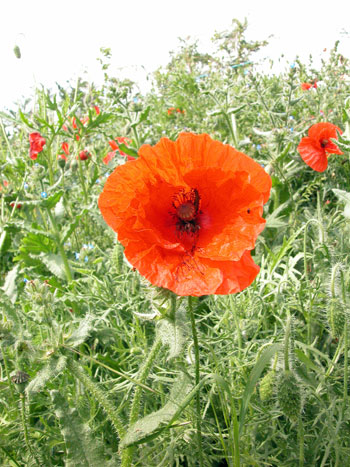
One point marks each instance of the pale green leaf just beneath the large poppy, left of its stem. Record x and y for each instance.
(174, 333)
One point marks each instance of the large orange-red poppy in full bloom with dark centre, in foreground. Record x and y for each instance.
(188, 213)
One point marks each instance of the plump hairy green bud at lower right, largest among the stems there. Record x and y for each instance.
(288, 395)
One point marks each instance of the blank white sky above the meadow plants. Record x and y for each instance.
(60, 39)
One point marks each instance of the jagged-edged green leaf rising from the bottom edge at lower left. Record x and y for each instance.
(84, 449)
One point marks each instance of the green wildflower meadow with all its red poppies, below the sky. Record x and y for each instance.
(174, 267)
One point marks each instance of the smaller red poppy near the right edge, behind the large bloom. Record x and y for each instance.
(314, 149)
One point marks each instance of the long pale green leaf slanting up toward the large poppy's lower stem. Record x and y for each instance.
(145, 427)
